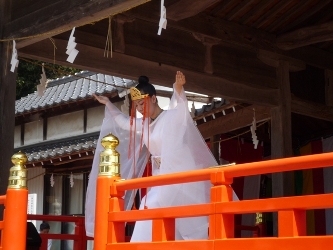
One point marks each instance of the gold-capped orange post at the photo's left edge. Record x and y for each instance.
(14, 234)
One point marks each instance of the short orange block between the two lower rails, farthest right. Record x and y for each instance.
(291, 223)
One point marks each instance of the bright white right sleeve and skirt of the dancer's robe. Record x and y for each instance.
(177, 145)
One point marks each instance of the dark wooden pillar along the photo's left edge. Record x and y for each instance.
(7, 104)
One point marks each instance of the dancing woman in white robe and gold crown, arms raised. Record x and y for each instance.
(175, 145)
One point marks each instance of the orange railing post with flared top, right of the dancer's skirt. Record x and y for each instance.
(221, 226)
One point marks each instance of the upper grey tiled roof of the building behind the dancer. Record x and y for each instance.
(71, 88)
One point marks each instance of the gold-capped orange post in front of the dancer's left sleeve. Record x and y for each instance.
(109, 172)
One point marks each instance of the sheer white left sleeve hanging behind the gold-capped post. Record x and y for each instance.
(118, 124)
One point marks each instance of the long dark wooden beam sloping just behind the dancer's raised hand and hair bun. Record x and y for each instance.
(131, 67)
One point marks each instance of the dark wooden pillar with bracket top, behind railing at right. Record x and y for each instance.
(281, 137)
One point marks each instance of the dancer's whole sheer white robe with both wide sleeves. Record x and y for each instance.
(177, 143)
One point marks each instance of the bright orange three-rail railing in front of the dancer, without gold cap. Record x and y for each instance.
(110, 217)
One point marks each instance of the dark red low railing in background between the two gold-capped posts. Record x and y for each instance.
(79, 237)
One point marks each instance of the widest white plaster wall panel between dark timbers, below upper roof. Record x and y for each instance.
(66, 125)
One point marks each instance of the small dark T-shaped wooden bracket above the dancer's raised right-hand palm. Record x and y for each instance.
(208, 42)
